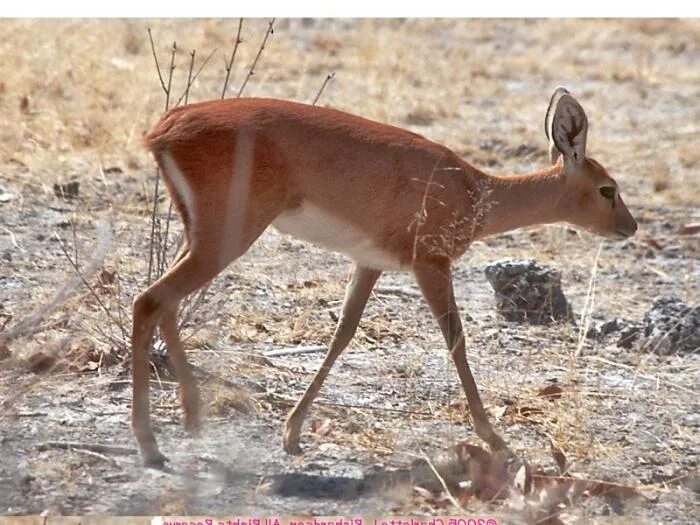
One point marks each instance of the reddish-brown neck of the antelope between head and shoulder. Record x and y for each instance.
(517, 201)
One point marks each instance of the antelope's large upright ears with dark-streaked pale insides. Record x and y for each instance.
(566, 127)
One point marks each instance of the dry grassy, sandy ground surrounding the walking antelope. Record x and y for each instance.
(77, 95)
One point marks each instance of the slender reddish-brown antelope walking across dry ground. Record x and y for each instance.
(386, 197)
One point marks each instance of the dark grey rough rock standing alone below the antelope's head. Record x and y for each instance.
(528, 292)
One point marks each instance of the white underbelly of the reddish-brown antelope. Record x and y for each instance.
(314, 224)
